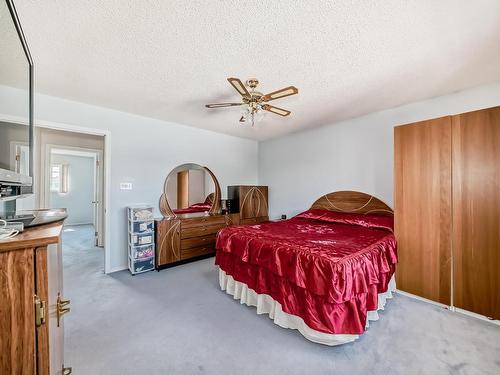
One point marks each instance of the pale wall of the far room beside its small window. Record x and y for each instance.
(78, 199)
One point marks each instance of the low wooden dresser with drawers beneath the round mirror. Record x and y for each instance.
(185, 237)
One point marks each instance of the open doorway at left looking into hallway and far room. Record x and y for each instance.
(73, 175)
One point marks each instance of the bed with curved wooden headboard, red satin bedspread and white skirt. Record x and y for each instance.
(325, 272)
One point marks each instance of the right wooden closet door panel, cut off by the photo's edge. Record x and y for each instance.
(476, 211)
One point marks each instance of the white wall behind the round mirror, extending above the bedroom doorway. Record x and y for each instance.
(143, 151)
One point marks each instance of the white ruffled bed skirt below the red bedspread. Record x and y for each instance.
(267, 305)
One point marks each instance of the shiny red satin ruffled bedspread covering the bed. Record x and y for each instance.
(322, 266)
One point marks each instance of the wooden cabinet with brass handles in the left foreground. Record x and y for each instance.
(32, 305)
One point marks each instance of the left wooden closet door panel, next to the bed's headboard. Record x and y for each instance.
(422, 214)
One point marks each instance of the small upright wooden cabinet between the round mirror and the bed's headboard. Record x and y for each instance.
(251, 201)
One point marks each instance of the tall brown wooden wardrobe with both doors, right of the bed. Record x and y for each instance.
(447, 210)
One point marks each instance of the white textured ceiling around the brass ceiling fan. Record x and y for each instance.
(166, 59)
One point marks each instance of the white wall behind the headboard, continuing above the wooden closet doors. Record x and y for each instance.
(356, 154)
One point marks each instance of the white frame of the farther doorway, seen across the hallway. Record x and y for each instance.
(98, 193)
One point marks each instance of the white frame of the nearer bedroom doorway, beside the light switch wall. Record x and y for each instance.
(107, 169)
